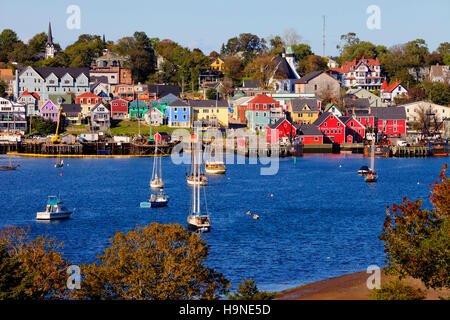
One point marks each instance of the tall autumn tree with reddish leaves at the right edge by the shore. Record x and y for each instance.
(417, 241)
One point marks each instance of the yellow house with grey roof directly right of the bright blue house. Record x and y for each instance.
(211, 112)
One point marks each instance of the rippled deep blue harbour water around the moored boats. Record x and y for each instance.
(322, 221)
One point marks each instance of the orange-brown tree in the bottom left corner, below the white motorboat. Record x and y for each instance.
(35, 267)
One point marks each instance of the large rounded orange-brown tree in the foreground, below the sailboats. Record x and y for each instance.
(156, 262)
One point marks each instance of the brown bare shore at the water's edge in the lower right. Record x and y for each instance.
(349, 287)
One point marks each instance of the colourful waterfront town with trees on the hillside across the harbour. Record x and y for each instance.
(315, 101)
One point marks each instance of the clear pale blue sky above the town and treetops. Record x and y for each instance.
(206, 24)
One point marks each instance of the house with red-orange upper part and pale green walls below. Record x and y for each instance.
(259, 112)
